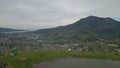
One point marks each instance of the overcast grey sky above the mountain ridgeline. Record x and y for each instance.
(40, 14)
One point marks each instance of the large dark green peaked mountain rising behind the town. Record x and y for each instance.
(91, 28)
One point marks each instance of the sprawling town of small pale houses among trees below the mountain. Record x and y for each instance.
(10, 43)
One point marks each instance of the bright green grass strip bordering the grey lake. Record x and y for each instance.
(26, 60)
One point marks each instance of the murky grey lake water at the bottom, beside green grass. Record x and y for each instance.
(79, 63)
